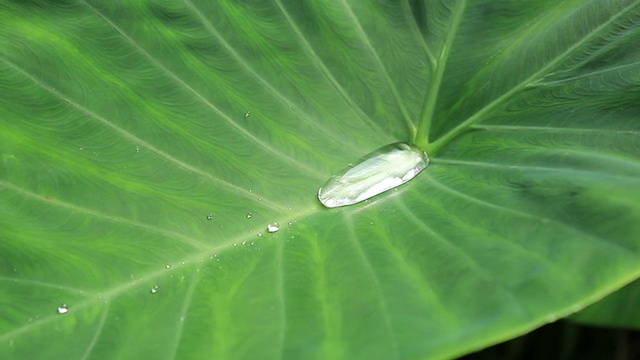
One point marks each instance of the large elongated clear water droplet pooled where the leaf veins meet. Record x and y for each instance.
(382, 170)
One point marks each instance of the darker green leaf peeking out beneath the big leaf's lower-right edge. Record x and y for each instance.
(619, 309)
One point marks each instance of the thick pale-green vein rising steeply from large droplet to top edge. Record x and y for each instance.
(431, 96)
